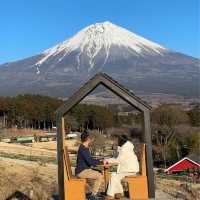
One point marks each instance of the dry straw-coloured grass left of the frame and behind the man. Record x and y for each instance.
(37, 180)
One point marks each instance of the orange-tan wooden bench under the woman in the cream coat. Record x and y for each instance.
(138, 185)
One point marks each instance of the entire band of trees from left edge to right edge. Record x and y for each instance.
(175, 131)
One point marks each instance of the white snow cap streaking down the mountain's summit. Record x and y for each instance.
(101, 36)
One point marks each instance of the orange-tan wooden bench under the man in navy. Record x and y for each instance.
(74, 187)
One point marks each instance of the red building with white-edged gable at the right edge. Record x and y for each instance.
(182, 165)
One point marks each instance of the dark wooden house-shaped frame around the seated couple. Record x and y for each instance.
(127, 96)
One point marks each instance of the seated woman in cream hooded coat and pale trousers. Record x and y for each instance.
(127, 165)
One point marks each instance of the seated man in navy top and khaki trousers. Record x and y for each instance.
(84, 164)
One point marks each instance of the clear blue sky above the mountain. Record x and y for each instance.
(27, 27)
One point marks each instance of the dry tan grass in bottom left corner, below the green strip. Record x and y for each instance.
(36, 181)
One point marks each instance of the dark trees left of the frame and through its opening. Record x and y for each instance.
(38, 112)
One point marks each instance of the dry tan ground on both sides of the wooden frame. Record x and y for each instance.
(39, 180)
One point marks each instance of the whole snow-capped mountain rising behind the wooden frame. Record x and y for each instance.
(134, 61)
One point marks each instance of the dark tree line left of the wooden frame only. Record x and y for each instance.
(28, 111)
